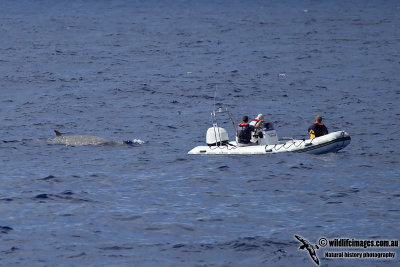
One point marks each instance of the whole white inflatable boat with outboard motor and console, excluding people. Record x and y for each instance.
(267, 142)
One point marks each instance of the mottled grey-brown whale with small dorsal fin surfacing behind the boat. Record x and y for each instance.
(86, 140)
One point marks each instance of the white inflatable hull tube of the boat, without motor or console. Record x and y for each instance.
(332, 142)
